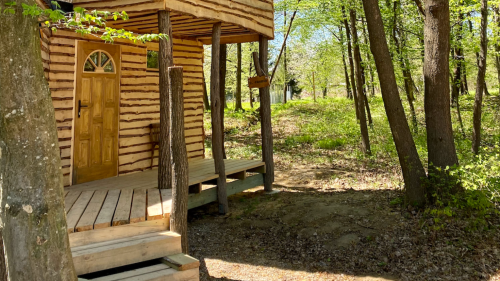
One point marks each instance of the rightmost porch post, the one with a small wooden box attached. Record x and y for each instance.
(265, 115)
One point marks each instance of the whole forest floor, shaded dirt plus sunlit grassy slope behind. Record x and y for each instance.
(338, 215)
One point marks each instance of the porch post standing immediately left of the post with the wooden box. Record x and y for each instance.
(216, 105)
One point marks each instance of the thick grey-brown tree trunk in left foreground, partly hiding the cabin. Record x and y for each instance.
(33, 220)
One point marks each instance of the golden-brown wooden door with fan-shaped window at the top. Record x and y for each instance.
(97, 111)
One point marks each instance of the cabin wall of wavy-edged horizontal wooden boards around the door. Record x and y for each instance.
(139, 97)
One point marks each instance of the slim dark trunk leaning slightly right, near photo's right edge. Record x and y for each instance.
(481, 85)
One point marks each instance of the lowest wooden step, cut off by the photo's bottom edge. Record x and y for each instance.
(159, 272)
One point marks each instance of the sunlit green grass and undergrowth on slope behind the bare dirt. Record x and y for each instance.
(327, 131)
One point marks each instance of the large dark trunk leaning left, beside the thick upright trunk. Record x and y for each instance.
(411, 166)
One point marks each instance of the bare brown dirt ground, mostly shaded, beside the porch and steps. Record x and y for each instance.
(316, 228)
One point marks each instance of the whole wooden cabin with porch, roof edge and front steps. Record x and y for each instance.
(107, 105)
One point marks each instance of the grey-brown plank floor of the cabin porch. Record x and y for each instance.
(136, 198)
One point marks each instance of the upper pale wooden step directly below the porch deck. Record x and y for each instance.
(110, 254)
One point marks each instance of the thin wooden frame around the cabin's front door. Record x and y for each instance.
(78, 77)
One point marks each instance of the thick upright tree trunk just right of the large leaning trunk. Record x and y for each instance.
(440, 142)
